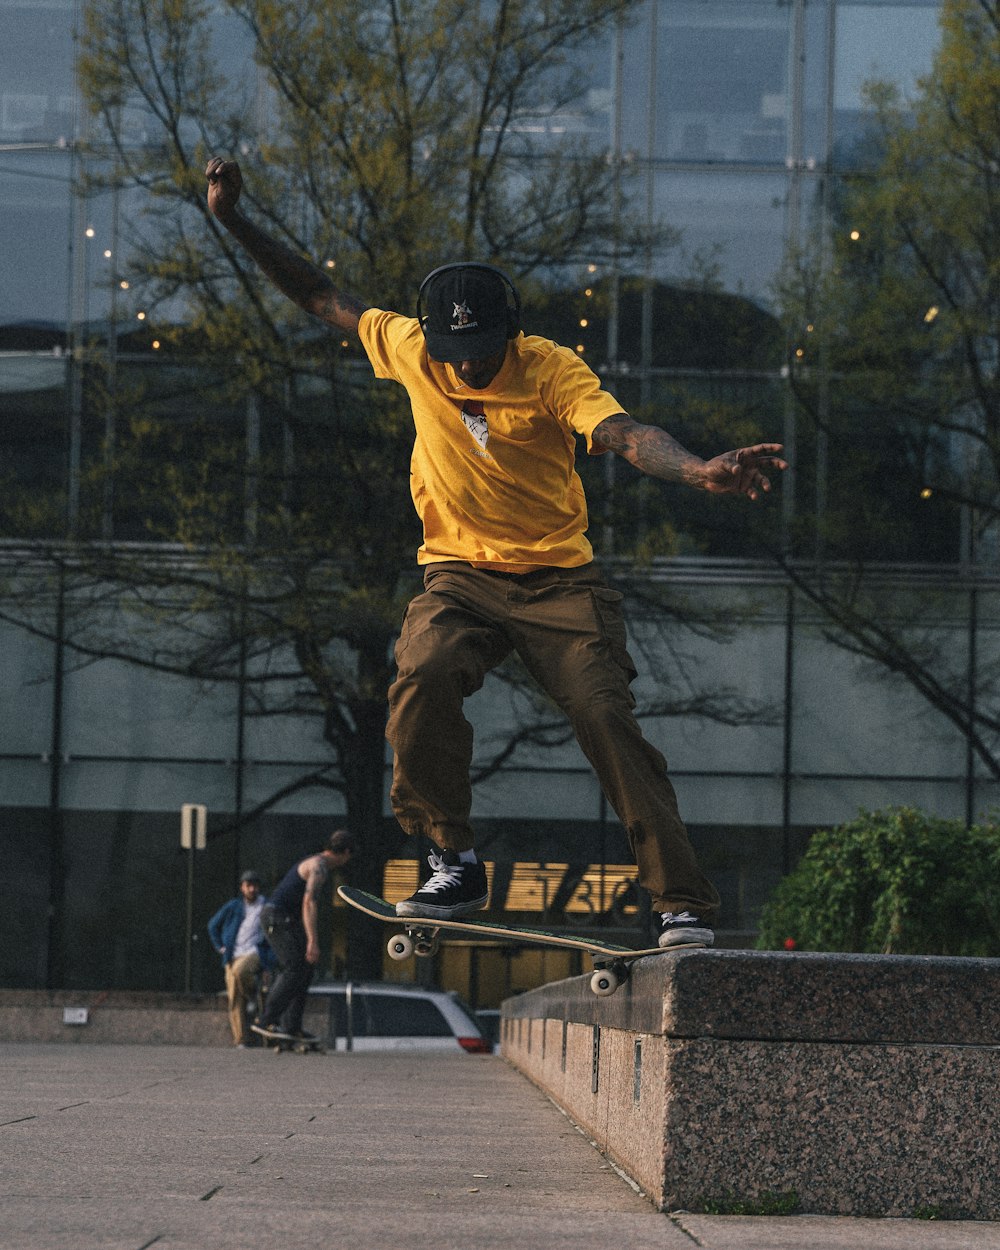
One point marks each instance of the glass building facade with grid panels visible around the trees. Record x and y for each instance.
(732, 119)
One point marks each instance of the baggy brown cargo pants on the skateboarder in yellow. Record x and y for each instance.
(568, 629)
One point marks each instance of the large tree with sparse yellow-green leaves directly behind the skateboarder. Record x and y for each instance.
(259, 469)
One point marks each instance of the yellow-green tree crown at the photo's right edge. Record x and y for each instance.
(893, 312)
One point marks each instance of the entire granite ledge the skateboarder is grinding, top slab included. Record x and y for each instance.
(857, 1084)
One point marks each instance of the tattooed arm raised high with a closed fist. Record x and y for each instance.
(291, 273)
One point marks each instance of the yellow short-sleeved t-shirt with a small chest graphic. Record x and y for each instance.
(492, 472)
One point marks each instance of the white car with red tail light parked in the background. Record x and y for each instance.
(384, 1016)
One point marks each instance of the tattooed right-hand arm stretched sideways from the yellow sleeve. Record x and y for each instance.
(656, 453)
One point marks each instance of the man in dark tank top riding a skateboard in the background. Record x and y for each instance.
(292, 926)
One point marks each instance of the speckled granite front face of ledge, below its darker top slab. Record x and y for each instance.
(849, 1131)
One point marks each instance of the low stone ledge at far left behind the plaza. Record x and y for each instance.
(114, 1017)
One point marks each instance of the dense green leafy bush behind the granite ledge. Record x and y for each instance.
(894, 882)
